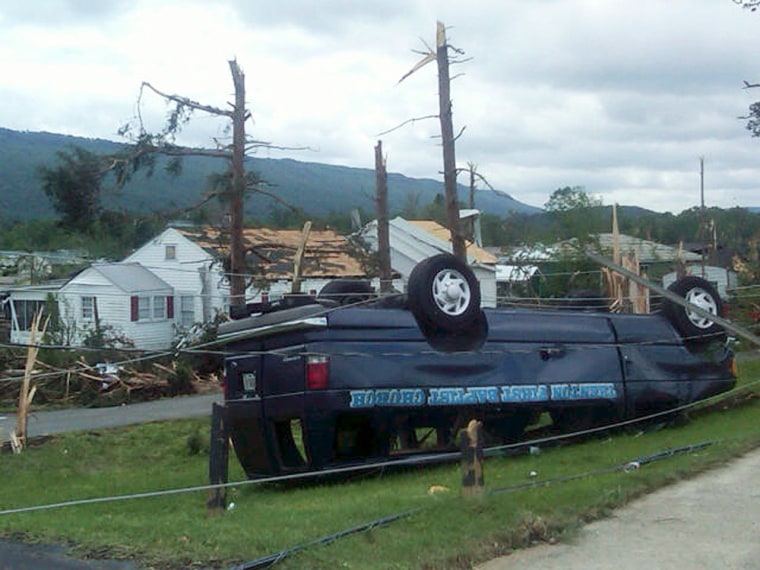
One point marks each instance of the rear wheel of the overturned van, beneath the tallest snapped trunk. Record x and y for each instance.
(444, 294)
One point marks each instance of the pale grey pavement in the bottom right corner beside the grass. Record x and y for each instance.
(710, 522)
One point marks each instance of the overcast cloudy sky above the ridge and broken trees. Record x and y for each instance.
(619, 97)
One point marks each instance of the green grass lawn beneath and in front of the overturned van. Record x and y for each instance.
(445, 531)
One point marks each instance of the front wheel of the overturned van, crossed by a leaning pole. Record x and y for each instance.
(692, 327)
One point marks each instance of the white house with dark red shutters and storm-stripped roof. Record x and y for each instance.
(178, 279)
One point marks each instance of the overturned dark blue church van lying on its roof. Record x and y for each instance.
(313, 383)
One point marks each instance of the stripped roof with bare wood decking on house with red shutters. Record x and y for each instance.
(270, 254)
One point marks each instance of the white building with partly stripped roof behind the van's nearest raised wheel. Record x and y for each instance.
(413, 241)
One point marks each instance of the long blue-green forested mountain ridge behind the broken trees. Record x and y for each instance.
(316, 188)
